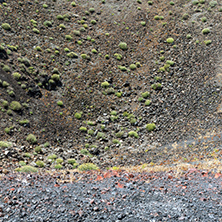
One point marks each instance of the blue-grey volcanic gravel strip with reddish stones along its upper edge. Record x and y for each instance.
(112, 196)
